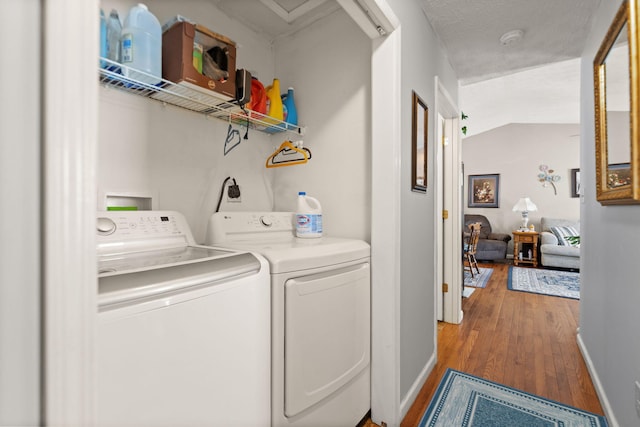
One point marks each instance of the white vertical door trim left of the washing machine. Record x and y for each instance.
(70, 134)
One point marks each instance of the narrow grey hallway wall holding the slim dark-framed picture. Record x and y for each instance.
(422, 59)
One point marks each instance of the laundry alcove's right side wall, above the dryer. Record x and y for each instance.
(333, 97)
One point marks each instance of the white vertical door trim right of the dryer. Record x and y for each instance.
(385, 228)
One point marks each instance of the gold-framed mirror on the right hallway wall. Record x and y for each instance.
(615, 73)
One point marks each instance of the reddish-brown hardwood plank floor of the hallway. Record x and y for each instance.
(518, 339)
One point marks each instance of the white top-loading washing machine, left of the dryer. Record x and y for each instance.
(183, 334)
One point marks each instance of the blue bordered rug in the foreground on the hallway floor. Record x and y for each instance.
(468, 401)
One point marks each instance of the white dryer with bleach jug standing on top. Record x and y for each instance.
(320, 324)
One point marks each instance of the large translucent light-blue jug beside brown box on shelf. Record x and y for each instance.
(141, 45)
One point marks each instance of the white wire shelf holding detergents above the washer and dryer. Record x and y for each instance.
(188, 96)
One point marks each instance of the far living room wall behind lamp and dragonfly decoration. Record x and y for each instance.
(515, 152)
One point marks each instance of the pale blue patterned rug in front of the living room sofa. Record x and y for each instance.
(547, 282)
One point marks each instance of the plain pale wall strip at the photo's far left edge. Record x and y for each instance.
(20, 219)
